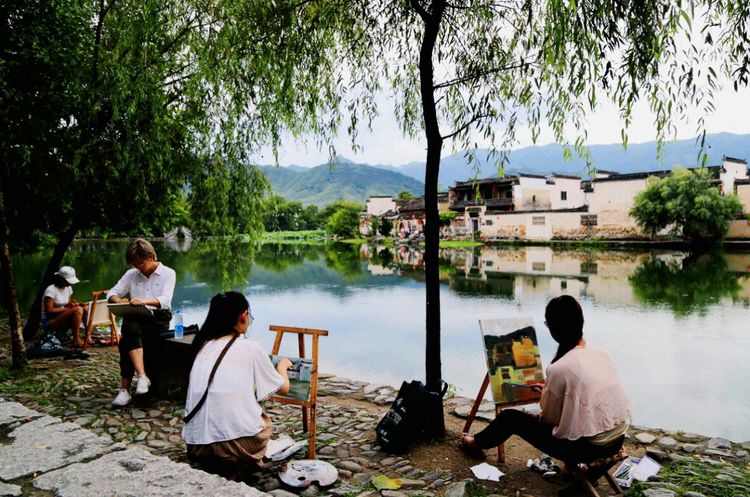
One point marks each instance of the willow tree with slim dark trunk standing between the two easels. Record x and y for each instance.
(465, 71)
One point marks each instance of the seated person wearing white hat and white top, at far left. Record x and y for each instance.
(59, 310)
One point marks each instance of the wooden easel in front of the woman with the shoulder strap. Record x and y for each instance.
(311, 402)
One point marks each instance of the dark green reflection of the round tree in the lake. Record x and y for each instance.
(691, 285)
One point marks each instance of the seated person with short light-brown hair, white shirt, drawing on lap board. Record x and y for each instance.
(148, 283)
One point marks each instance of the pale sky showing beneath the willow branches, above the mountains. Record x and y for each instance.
(386, 144)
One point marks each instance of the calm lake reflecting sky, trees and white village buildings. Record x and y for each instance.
(675, 324)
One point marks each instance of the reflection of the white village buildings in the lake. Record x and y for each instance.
(539, 273)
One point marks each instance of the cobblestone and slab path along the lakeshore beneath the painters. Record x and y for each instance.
(47, 450)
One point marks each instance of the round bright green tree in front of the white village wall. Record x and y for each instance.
(689, 202)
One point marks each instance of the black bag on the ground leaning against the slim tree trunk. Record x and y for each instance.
(413, 415)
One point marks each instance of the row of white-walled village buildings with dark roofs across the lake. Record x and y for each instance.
(533, 207)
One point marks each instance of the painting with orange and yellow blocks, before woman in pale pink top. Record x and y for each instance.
(513, 359)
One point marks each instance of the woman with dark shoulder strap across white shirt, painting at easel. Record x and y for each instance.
(225, 426)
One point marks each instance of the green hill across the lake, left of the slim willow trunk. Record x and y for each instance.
(321, 185)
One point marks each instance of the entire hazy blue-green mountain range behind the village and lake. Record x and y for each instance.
(346, 180)
